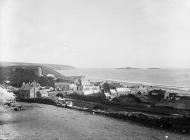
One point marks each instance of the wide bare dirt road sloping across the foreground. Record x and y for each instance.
(49, 122)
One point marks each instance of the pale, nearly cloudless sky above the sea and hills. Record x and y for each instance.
(96, 33)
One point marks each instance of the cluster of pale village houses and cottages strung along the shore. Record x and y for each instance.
(83, 86)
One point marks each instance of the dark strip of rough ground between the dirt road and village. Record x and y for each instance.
(164, 118)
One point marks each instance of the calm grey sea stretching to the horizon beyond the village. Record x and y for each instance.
(176, 78)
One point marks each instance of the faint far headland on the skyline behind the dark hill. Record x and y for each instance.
(51, 66)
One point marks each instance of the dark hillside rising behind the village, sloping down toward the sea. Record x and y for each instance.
(18, 74)
